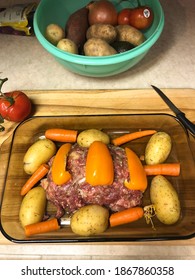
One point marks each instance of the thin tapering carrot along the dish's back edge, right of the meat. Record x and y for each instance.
(132, 136)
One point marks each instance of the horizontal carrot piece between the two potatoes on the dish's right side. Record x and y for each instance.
(170, 169)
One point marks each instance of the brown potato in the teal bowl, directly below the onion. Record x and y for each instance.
(106, 32)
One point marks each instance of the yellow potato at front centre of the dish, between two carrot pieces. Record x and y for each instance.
(90, 220)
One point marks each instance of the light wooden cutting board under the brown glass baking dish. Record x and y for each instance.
(91, 102)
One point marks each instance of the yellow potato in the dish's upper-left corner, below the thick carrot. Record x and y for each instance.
(38, 153)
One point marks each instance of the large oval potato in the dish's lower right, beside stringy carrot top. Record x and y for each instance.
(165, 199)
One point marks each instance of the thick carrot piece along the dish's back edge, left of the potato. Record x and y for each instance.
(61, 135)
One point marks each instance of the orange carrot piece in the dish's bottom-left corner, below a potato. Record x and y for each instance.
(41, 227)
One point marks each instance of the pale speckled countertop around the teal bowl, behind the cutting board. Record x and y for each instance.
(169, 64)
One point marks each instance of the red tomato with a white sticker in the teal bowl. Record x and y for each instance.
(141, 17)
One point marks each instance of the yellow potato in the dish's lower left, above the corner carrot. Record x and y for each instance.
(33, 205)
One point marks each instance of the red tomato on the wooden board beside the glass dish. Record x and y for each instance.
(14, 106)
